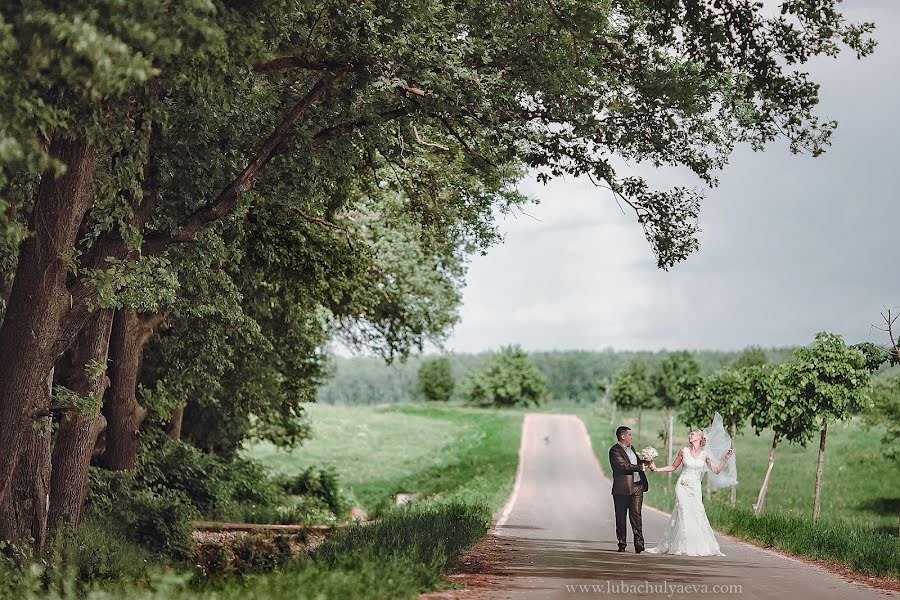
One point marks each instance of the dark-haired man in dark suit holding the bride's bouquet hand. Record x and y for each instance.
(629, 485)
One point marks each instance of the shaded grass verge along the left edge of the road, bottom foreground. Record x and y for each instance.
(398, 557)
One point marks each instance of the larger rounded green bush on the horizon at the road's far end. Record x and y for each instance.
(509, 379)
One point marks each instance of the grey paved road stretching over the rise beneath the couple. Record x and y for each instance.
(556, 539)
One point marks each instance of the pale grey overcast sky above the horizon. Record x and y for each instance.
(791, 244)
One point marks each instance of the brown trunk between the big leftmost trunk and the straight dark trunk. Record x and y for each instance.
(79, 429)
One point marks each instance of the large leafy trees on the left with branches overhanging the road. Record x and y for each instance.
(195, 195)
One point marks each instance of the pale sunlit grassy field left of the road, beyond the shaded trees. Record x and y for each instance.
(445, 453)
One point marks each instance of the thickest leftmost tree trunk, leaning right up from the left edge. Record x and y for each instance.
(39, 299)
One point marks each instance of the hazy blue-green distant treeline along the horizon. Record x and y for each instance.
(570, 374)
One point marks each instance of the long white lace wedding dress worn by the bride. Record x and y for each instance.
(688, 530)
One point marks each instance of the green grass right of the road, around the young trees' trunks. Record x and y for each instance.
(858, 523)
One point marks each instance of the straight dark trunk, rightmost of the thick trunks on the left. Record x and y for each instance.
(124, 414)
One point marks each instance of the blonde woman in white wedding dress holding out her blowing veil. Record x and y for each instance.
(688, 530)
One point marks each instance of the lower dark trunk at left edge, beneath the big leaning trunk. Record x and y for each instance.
(23, 513)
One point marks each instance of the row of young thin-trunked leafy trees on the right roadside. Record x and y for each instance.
(824, 382)
